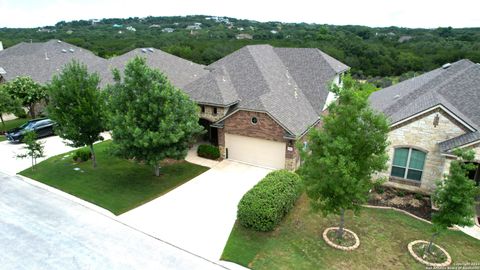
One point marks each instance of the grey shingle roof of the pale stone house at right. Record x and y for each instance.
(455, 87)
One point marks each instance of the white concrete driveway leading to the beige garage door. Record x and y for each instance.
(199, 215)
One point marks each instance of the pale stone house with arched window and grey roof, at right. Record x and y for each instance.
(430, 116)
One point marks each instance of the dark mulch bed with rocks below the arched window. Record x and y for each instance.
(414, 203)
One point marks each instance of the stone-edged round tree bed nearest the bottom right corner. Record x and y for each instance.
(437, 257)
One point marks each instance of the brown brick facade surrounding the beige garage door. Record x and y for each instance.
(240, 123)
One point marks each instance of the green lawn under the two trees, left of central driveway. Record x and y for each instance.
(116, 184)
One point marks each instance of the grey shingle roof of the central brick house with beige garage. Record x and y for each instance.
(291, 84)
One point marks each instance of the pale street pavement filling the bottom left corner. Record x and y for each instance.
(41, 230)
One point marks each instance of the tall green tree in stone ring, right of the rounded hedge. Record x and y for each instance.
(341, 157)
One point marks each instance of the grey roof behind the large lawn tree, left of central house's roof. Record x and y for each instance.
(178, 70)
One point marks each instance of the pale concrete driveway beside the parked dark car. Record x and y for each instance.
(11, 165)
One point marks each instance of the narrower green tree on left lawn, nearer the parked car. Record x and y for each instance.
(77, 106)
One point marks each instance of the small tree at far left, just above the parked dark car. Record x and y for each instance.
(27, 91)
